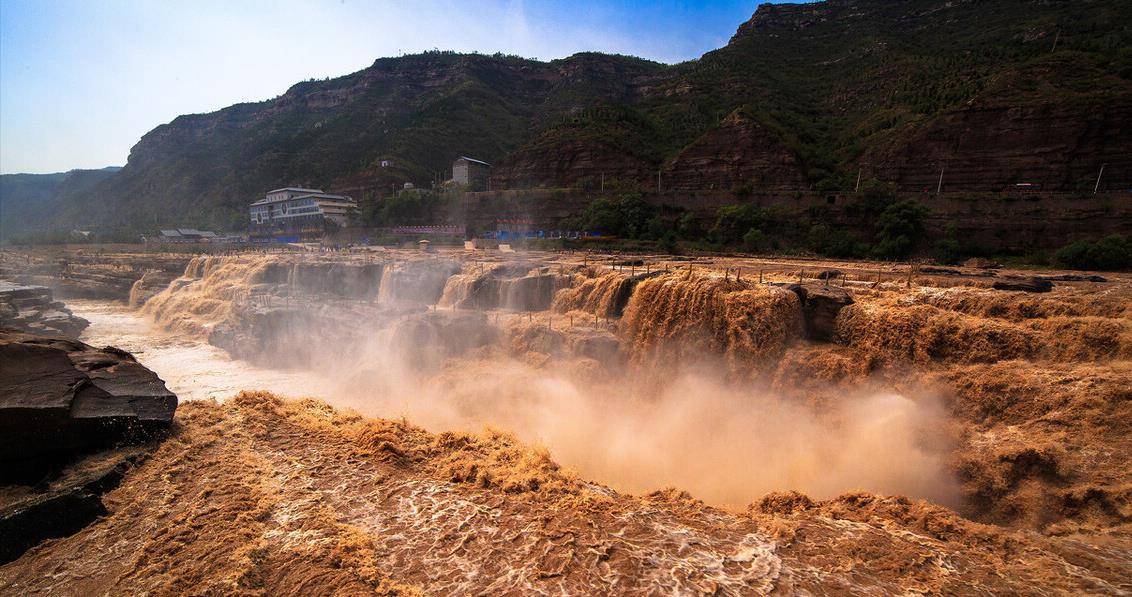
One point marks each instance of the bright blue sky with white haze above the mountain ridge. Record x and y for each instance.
(81, 81)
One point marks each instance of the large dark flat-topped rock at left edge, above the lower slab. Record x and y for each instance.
(61, 398)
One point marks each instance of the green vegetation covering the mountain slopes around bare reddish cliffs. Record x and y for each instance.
(837, 83)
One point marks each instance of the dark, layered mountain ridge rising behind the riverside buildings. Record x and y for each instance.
(989, 93)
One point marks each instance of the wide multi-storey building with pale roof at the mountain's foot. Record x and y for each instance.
(299, 211)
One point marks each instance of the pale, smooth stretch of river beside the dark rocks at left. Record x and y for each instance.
(192, 370)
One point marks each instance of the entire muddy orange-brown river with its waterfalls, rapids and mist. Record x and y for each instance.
(533, 427)
